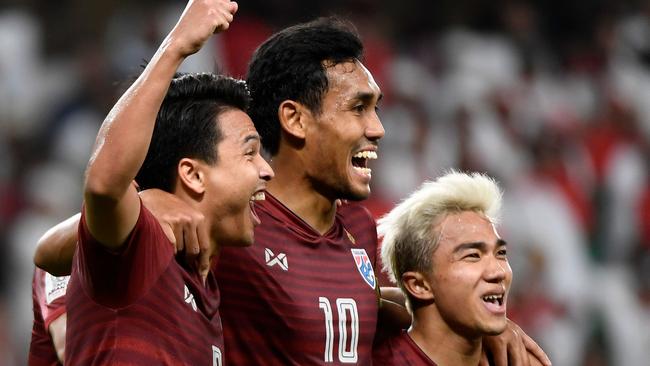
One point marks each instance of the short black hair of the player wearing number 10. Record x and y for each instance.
(289, 65)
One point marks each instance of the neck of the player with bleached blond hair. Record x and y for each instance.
(440, 342)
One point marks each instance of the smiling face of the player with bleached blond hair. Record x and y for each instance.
(471, 276)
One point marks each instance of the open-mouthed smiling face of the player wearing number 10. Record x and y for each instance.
(344, 136)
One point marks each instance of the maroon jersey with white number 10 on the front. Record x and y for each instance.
(297, 297)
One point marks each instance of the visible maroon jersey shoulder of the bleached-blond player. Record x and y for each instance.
(400, 350)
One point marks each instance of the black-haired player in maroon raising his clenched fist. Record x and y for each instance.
(129, 300)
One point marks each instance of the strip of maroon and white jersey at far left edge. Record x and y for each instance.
(48, 295)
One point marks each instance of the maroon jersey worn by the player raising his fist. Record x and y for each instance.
(140, 306)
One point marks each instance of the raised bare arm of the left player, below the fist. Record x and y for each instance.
(112, 205)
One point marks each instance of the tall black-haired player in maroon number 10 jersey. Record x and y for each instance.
(306, 293)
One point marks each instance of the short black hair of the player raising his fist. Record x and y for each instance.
(187, 125)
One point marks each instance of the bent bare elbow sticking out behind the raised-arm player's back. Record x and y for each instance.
(56, 247)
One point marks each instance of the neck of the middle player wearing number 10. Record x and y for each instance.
(292, 187)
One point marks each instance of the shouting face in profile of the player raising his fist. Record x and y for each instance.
(237, 179)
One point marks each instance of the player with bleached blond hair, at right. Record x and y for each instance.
(441, 246)
